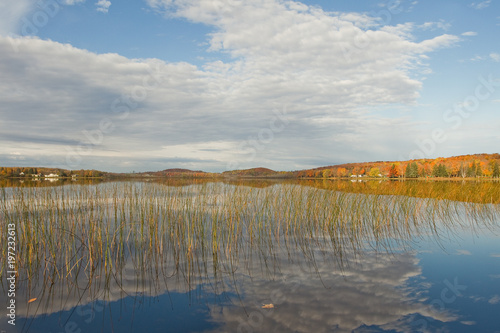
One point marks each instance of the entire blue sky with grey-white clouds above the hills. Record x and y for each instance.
(226, 84)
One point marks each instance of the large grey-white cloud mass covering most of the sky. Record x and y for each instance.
(319, 65)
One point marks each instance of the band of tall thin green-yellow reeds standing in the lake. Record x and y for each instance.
(82, 237)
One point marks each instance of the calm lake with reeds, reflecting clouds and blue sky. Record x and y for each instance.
(252, 256)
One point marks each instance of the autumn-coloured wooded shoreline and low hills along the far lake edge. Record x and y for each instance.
(465, 166)
